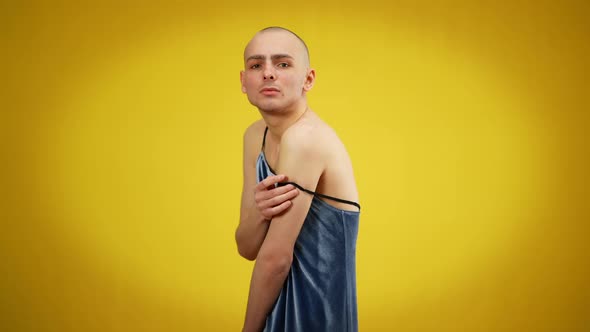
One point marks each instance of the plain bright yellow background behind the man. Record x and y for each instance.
(466, 122)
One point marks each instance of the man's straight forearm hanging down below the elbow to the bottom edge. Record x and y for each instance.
(268, 278)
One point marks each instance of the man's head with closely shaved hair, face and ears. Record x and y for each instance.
(276, 75)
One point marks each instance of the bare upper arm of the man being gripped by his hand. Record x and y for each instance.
(300, 161)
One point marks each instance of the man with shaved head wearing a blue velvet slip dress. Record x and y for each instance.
(302, 234)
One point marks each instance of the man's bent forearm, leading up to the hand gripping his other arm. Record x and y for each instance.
(251, 232)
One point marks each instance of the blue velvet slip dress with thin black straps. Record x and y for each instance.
(319, 294)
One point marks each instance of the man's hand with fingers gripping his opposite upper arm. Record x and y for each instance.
(272, 201)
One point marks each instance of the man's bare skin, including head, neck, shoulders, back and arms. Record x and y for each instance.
(276, 79)
